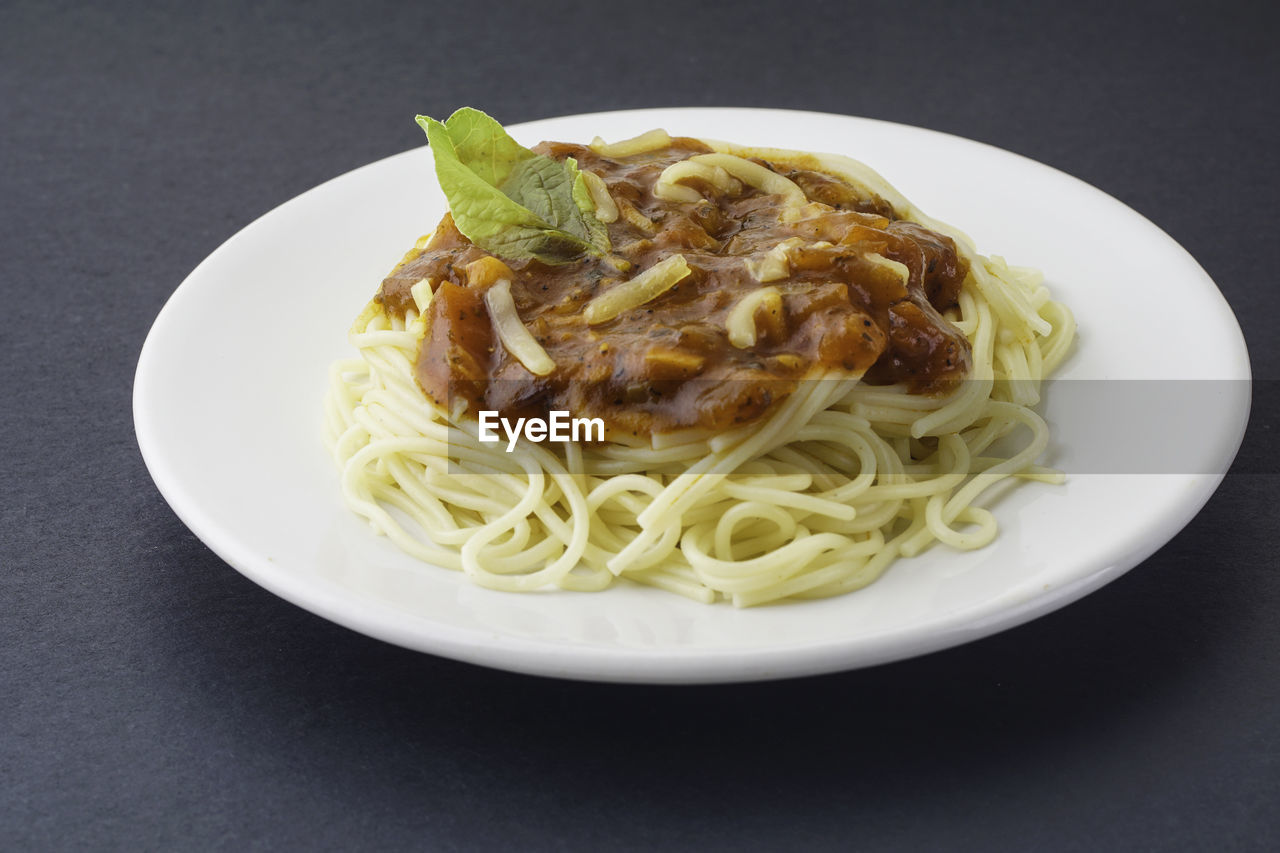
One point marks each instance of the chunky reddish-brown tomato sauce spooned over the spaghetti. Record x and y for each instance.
(669, 364)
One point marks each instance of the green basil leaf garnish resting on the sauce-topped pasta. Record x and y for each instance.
(509, 200)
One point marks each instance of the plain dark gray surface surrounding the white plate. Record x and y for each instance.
(150, 697)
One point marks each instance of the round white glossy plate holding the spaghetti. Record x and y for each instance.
(227, 409)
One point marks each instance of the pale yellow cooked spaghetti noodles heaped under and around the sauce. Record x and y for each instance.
(816, 496)
